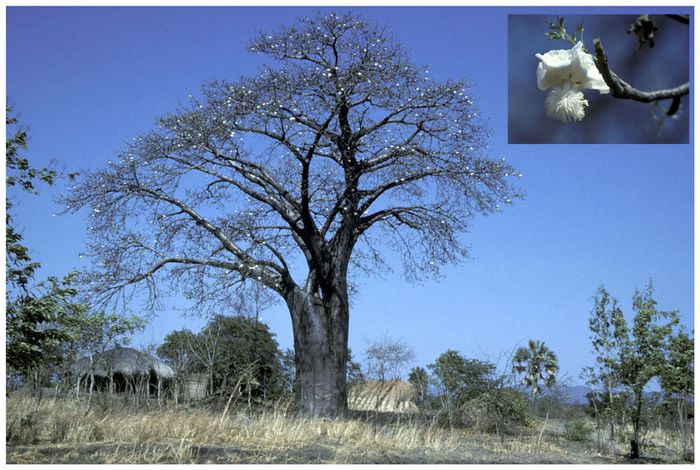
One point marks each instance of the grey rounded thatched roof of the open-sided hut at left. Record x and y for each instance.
(125, 361)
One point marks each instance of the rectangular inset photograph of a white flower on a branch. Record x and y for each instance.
(599, 79)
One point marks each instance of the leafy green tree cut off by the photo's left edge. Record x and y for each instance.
(40, 317)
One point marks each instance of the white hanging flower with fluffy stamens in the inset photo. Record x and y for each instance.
(565, 73)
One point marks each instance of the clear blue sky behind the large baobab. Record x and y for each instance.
(87, 80)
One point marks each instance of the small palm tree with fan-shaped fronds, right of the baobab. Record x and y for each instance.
(538, 364)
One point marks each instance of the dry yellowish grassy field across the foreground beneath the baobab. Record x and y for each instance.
(65, 431)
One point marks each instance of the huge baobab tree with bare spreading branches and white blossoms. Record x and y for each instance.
(340, 147)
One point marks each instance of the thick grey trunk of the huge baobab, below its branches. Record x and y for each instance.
(320, 350)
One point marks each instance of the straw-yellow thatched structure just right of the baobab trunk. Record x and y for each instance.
(393, 396)
